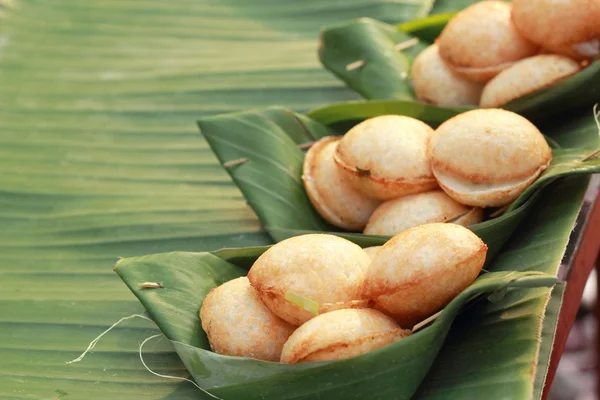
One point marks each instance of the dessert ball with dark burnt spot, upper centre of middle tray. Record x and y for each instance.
(386, 157)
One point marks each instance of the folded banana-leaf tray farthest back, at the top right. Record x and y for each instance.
(383, 72)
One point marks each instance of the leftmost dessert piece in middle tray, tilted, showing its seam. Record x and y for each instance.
(330, 193)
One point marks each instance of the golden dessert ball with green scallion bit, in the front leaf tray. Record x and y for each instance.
(326, 269)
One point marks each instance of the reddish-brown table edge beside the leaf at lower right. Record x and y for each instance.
(576, 268)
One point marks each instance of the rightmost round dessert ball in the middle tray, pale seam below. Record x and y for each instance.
(487, 157)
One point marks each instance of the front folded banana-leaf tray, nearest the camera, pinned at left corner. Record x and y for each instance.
(398, 369)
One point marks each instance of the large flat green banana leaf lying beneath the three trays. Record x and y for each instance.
(100, 158)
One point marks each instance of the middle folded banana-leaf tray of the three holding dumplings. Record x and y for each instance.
(261, 151)
